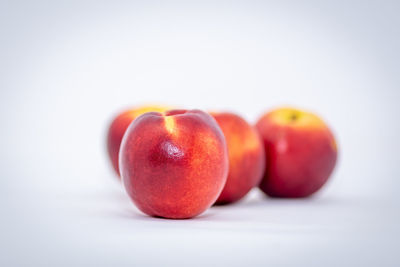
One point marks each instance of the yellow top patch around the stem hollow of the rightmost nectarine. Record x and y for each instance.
(295, 117)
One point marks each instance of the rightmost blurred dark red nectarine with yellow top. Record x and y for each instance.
(301, 152)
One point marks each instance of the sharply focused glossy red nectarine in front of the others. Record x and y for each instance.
(174, 165)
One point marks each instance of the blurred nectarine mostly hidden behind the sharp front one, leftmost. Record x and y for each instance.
(118, 127)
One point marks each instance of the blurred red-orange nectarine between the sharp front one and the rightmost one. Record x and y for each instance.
(246, 157)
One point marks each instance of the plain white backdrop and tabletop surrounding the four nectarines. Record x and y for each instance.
(67, 68)
